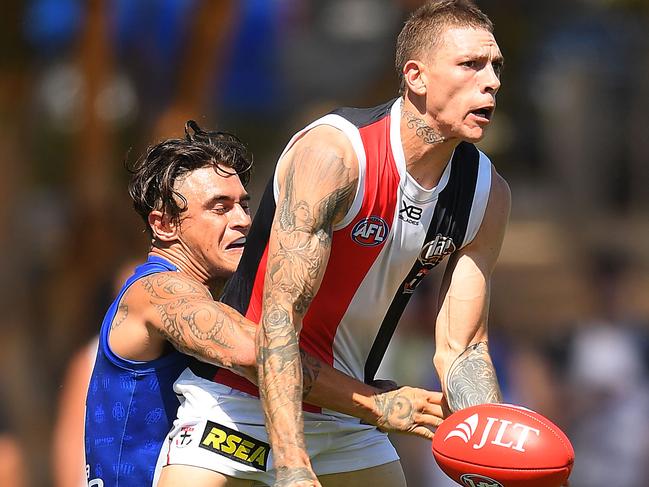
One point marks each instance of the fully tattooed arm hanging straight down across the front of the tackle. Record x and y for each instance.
(317, 178)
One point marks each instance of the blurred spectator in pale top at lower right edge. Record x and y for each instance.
(609, 385)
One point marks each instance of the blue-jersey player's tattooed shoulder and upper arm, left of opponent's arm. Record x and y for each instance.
(172, 307)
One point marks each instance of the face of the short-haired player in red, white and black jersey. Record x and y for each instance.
(462, 79)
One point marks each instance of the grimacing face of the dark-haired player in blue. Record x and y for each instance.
(213, 229)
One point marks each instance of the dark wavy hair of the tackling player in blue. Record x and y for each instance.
(153, 176)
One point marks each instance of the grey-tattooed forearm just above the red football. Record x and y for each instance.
(472, 380)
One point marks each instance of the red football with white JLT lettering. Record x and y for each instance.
(501, 445)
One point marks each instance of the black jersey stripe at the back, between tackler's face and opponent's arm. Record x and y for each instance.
(238, 289)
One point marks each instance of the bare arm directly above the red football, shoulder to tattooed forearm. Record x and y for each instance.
(462, 356)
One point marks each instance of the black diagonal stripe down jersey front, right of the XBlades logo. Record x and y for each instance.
(450, 219)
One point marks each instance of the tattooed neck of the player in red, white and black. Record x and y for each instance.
(426, 151)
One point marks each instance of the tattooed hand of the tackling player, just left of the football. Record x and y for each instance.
(409, 410)
